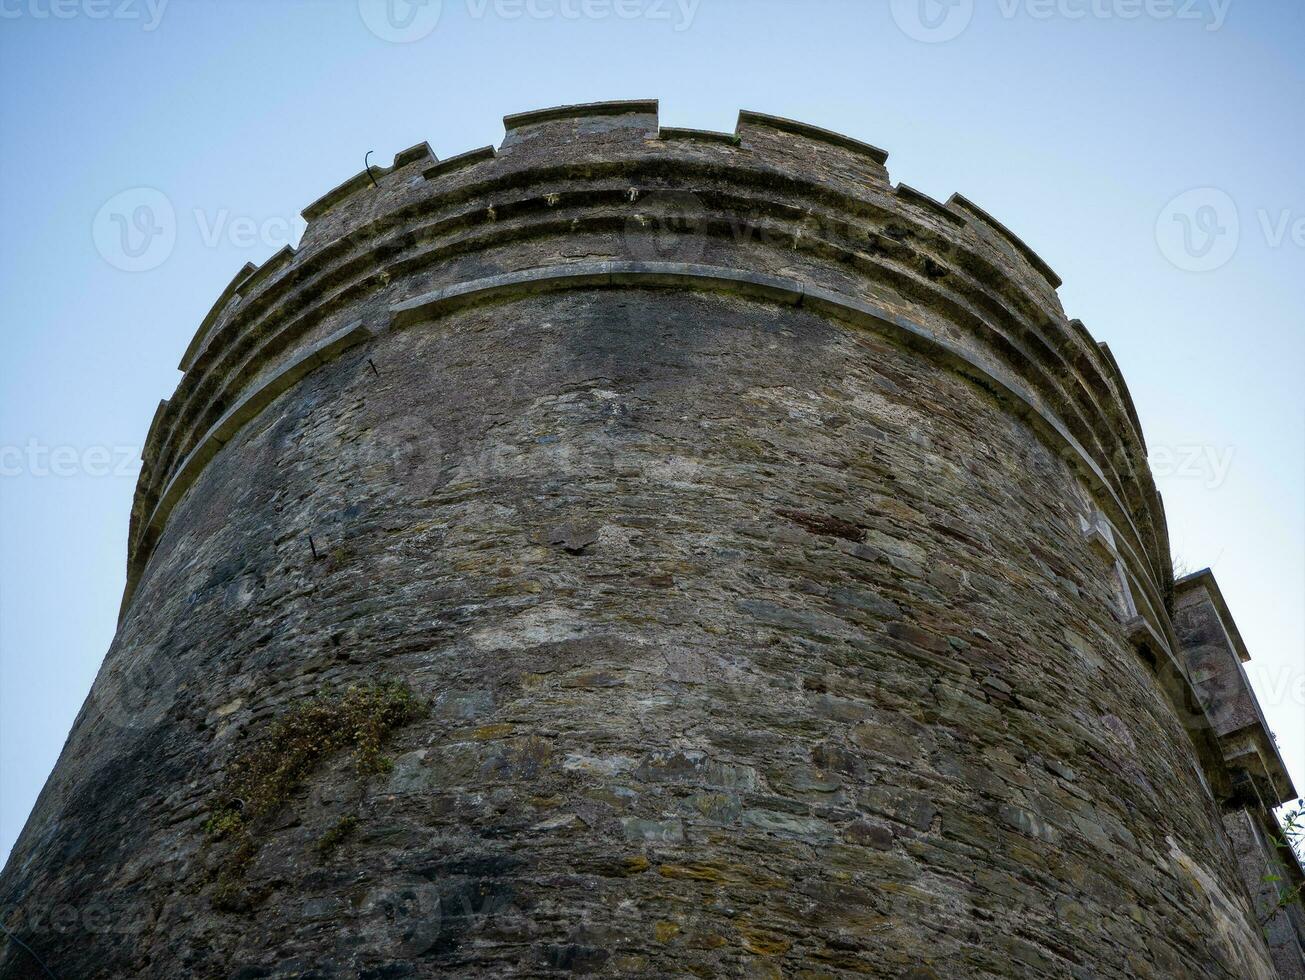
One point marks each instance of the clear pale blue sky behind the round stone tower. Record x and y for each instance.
(1077, 131)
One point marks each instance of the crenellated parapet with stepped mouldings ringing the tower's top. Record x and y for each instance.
(606, 183)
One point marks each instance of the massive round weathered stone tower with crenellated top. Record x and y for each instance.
(653, 553)
